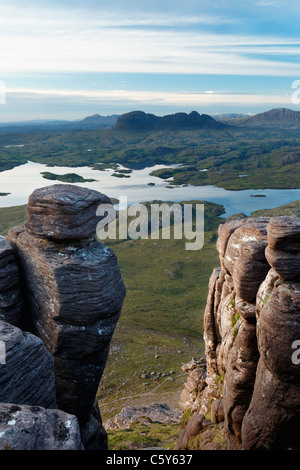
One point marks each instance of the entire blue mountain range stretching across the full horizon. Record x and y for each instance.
(137, 121)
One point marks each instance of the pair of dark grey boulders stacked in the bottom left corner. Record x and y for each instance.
(29, 418)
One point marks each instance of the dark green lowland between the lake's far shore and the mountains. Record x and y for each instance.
(270, 158)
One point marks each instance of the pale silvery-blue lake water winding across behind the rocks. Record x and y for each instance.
(21, 181)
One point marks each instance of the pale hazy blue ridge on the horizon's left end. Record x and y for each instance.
(95, 121)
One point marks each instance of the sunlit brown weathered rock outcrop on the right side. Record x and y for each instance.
(251, 322)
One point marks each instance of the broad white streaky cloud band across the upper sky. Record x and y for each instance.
(73, 40)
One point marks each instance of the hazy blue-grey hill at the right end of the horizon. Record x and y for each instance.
(275, 118)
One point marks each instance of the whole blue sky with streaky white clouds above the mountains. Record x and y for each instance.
(70, 59)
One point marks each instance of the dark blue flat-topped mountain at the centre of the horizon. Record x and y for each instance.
(140, 121)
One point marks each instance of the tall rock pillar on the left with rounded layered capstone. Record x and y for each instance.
(74, 294)
